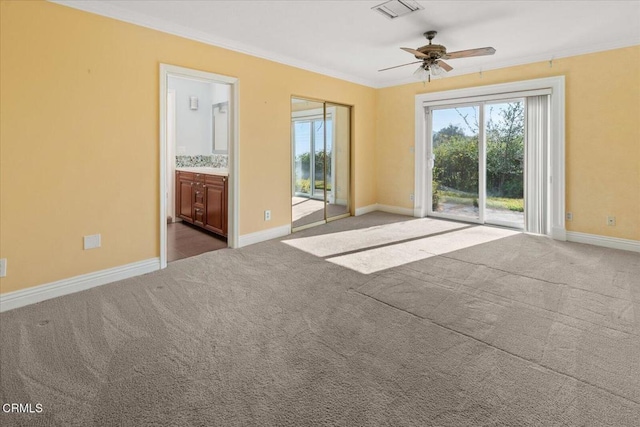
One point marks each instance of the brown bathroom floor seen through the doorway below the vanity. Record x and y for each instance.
(184, 241)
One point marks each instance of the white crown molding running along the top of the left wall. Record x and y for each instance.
(111, 11)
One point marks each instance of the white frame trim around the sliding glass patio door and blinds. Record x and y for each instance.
(516, 89)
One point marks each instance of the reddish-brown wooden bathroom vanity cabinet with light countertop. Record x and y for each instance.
(201, 197)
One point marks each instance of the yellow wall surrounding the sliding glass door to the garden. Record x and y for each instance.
(602, 136)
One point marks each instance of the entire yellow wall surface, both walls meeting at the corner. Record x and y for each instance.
(79, 137)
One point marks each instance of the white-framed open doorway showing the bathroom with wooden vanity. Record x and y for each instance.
(198, 138)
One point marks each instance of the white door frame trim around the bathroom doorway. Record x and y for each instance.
(167, 70)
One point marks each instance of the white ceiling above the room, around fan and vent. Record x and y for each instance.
(348, 40)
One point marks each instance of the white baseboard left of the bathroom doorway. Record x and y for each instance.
(11, 300)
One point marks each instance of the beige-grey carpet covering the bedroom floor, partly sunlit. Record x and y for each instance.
(514, 330)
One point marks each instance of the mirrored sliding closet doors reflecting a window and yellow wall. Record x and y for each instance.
(320, 146)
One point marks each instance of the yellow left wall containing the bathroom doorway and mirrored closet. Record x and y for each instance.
(79, 136)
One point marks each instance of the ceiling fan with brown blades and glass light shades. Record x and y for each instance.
(431, 56)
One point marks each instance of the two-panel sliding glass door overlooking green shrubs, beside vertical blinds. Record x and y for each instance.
(477, 162)
